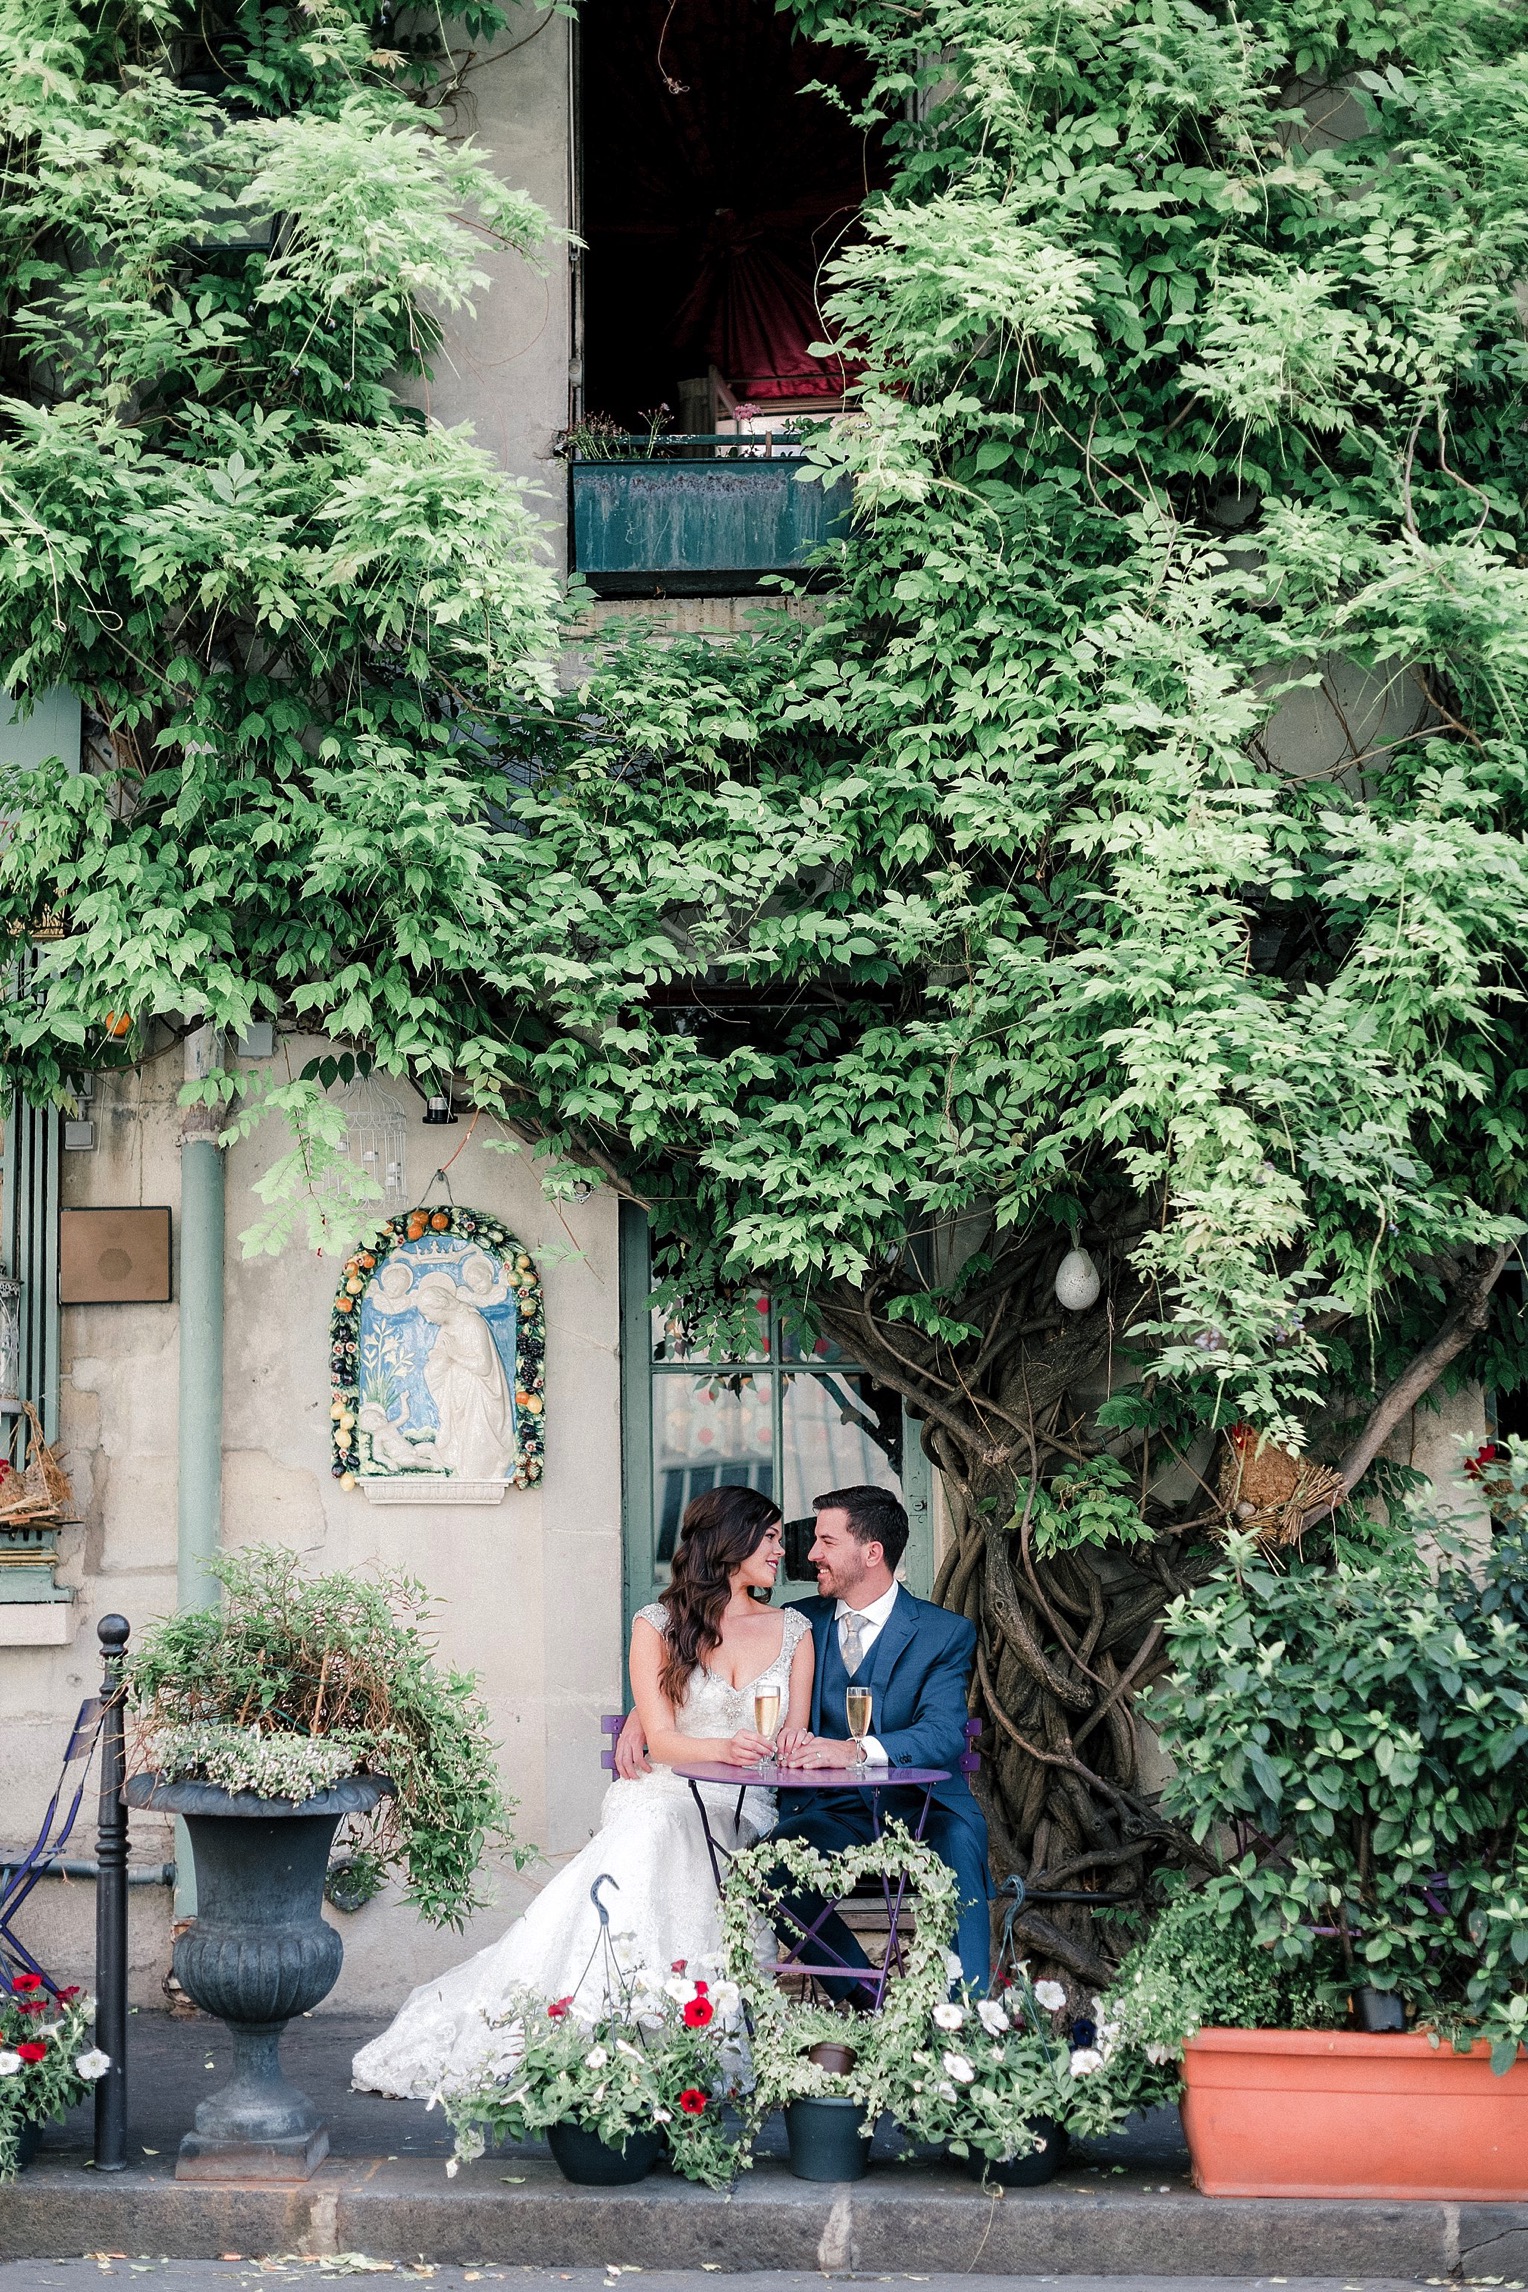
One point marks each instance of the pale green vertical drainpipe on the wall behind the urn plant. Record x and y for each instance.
(200, 1450)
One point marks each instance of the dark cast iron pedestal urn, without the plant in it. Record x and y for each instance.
(255, 1956)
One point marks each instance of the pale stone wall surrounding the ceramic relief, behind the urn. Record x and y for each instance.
(530, 1590)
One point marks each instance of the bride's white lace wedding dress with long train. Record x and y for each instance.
(663, 1899)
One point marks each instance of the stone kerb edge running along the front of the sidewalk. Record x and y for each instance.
(899, 2220)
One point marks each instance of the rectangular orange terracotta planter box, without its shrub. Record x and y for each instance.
(1330, 2112)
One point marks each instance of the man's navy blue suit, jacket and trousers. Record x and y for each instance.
(917, 1672)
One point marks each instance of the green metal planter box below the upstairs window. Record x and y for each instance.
(698, 519)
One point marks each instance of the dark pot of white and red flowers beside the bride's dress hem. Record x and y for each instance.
(615, 2087)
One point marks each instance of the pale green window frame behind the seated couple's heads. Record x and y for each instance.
(773, 1383)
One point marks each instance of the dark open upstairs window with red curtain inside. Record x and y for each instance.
(714, 191)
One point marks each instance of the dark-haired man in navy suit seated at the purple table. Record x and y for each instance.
(917, 1663)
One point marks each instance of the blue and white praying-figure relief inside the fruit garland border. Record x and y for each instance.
(439, 1363)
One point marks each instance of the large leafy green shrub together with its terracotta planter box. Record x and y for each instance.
(1348, 1750)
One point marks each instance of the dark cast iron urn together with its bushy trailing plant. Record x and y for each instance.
(299, 1704)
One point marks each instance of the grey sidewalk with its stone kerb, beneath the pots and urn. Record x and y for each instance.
(1119, 2211)
